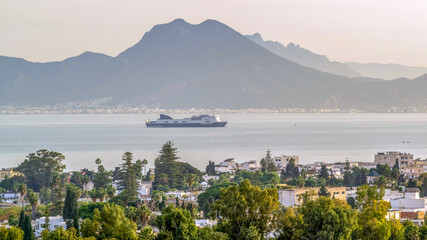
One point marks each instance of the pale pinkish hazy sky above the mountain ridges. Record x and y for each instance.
(384, 31)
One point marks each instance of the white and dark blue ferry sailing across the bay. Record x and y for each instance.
(194, 121)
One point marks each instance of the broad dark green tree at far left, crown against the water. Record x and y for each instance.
(40, 167)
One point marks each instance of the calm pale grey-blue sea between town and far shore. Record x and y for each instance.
(313, 137)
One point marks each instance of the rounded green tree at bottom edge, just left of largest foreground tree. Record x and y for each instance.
(177, 222)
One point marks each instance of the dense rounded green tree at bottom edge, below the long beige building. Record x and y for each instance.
(326, 218)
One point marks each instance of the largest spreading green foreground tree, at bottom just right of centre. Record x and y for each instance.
(244, 206)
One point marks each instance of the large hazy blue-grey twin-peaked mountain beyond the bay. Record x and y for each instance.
(208, 65)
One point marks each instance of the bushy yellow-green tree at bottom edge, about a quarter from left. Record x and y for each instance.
(109, 223)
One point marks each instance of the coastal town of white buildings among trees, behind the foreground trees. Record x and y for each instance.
(395, 179)
